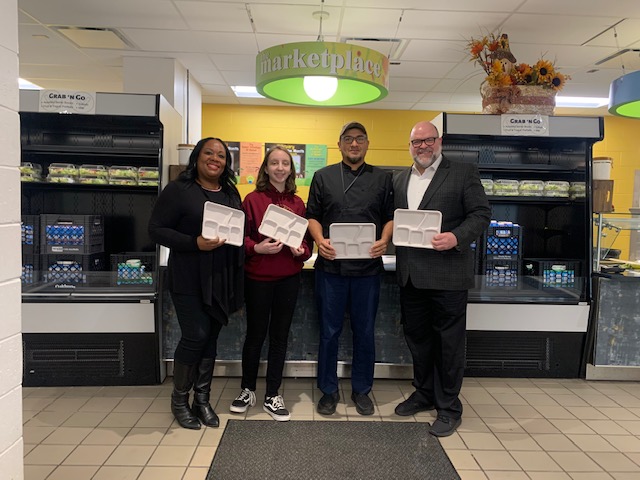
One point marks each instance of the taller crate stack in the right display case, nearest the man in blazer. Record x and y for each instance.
(502, 254)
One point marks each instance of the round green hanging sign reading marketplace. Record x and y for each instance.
(362, 73)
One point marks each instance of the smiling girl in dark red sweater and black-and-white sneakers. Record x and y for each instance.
(272, 278)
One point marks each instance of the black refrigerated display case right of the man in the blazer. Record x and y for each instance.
(529, 312)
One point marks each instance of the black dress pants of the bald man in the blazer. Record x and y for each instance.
(435, 325)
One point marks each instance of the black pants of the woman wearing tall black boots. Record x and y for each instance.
(199, 330)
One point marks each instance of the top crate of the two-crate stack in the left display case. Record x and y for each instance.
(82, 234)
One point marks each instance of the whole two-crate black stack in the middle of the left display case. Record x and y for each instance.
(72, 246)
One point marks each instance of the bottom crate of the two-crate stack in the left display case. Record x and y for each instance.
(70, 268)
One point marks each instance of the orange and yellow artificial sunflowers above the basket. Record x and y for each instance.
(492, 53)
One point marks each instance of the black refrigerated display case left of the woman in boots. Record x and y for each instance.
(90, 271)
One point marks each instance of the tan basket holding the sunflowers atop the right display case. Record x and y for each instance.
(518, 99)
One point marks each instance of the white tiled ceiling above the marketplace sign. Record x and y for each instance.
(217, 42)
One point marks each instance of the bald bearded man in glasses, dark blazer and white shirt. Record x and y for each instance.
(434, 282)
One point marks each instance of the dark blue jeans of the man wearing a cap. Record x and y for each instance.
(334, 294)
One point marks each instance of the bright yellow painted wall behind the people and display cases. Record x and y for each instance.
(389, 135)
